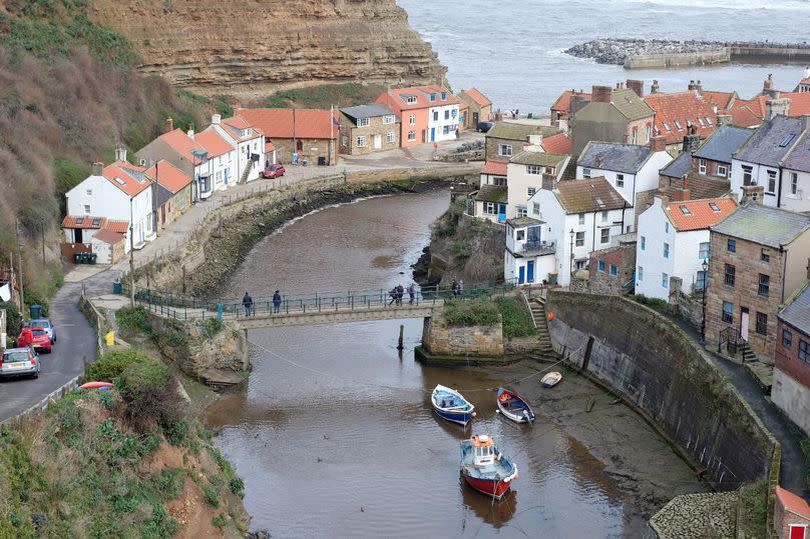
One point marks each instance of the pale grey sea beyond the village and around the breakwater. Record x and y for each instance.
(512, 50)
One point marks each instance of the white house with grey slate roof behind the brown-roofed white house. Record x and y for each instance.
(630, 169)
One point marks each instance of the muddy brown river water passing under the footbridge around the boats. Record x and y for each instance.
(334, 436)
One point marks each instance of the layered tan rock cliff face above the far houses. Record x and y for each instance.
(248, 48)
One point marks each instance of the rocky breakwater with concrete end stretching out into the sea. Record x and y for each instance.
(647, 53)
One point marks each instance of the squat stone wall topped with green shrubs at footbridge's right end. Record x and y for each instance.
(440, 339)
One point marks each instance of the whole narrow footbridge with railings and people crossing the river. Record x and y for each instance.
(311, 309)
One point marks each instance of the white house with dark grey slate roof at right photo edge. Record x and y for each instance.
(777, 148)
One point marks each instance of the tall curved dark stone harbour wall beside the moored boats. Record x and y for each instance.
(656, 368)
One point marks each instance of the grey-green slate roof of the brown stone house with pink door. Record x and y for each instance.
(764, 225)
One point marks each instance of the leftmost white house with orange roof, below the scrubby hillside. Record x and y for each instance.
(120, 191)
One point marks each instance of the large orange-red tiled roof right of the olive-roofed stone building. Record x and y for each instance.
(685, 108)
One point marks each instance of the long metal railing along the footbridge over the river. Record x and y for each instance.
(187, 308)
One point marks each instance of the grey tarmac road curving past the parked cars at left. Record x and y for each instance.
(76, 341)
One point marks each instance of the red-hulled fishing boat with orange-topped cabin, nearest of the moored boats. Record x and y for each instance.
(485, 468)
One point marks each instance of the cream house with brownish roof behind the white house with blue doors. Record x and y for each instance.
(529, 171)
